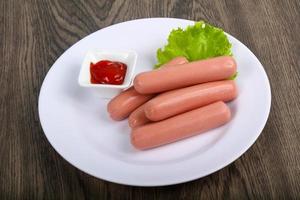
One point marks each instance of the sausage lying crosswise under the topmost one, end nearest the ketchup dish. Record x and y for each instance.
(127, 101)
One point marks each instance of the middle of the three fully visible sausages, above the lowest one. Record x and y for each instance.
(181, 100)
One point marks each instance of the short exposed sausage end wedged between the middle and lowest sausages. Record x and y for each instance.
(138, 117)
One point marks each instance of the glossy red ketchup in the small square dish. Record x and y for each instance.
(108, 72)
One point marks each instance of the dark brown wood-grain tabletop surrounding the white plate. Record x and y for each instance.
(34, 33)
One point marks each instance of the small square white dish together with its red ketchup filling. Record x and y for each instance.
(110, 61)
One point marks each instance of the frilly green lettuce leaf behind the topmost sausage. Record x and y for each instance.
(196, 42)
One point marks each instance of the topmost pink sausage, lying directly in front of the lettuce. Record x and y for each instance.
(184, 75)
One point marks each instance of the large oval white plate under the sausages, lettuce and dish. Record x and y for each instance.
(76, 123)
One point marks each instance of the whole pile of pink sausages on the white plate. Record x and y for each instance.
(178, 100)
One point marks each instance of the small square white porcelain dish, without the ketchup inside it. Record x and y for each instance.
(107, 90)
